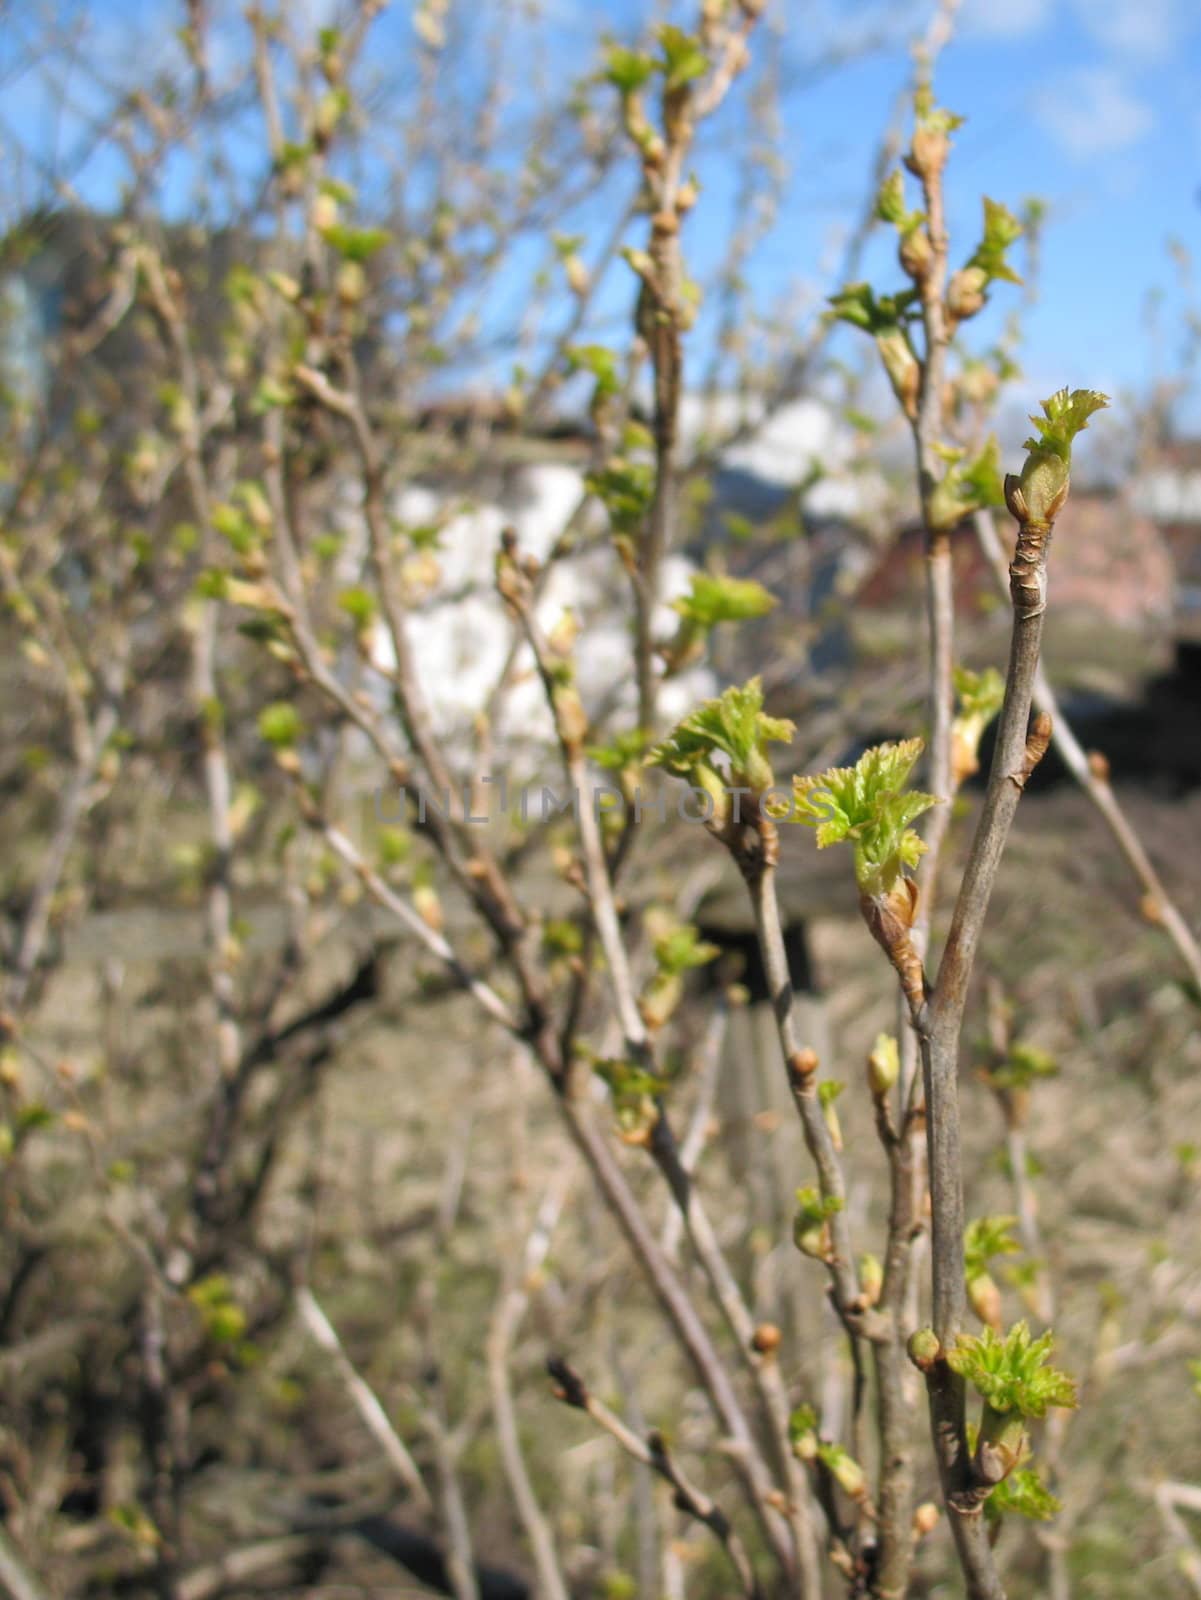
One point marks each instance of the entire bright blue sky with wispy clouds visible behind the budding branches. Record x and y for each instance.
(1095, 106)
